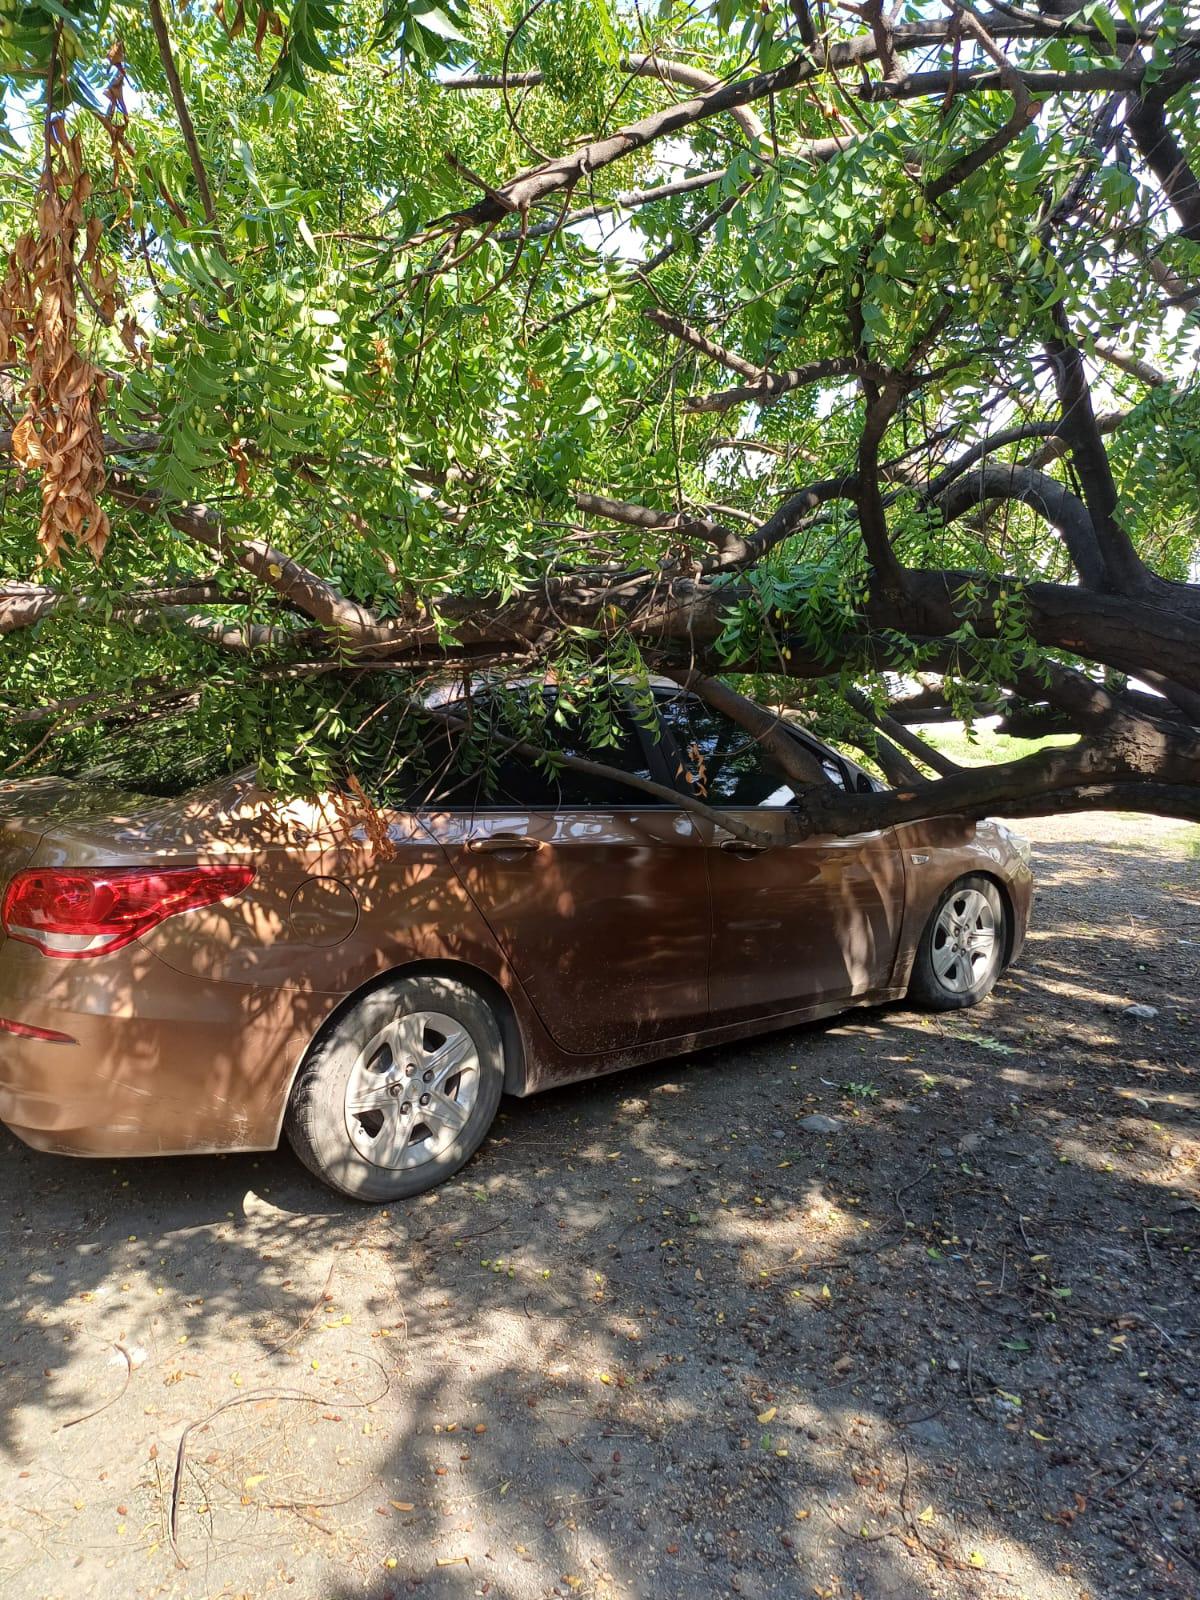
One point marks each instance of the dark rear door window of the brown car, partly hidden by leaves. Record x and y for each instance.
(482, 774)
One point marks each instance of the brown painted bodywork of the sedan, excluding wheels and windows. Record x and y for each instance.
(598, 935)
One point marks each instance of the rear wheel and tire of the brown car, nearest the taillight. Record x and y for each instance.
(401, 1092)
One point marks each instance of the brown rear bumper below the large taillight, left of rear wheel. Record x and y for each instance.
(159, 1065)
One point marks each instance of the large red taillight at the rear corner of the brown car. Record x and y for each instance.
(79, 911)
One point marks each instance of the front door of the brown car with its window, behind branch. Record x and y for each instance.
(793, 924)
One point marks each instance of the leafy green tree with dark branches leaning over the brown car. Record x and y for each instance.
(846, 351)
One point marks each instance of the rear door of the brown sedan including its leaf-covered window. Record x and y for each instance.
(598, 897)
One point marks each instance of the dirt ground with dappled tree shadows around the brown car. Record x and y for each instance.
(660, 1340)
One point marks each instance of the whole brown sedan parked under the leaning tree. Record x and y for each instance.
(209, 972)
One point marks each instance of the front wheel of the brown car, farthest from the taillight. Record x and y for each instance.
(962, 951)
